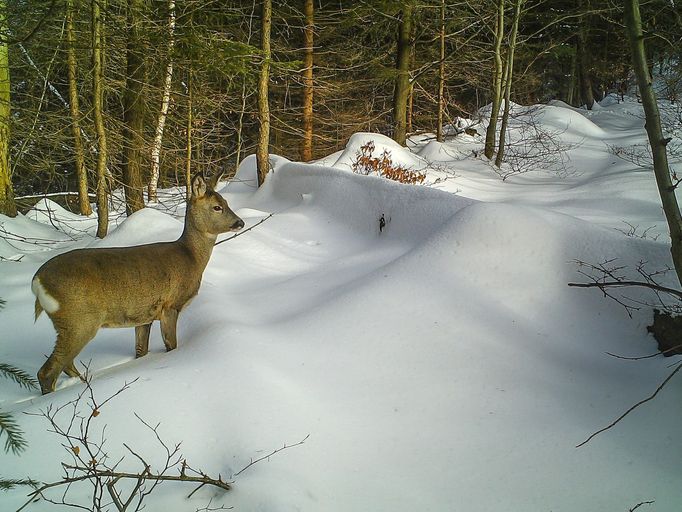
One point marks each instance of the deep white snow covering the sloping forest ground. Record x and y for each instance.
(439, 364)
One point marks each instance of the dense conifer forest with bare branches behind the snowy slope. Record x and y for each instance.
(111, 93)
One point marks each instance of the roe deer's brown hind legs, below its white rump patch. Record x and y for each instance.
(68, 345)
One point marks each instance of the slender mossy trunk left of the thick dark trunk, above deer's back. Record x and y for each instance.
(98, 104)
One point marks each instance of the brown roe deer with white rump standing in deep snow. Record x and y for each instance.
(85, 289)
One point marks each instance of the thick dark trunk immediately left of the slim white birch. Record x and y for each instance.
(134, 110)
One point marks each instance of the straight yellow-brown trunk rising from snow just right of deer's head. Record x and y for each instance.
(262, 149)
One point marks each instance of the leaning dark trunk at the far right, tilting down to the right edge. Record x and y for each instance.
(657, 141)
